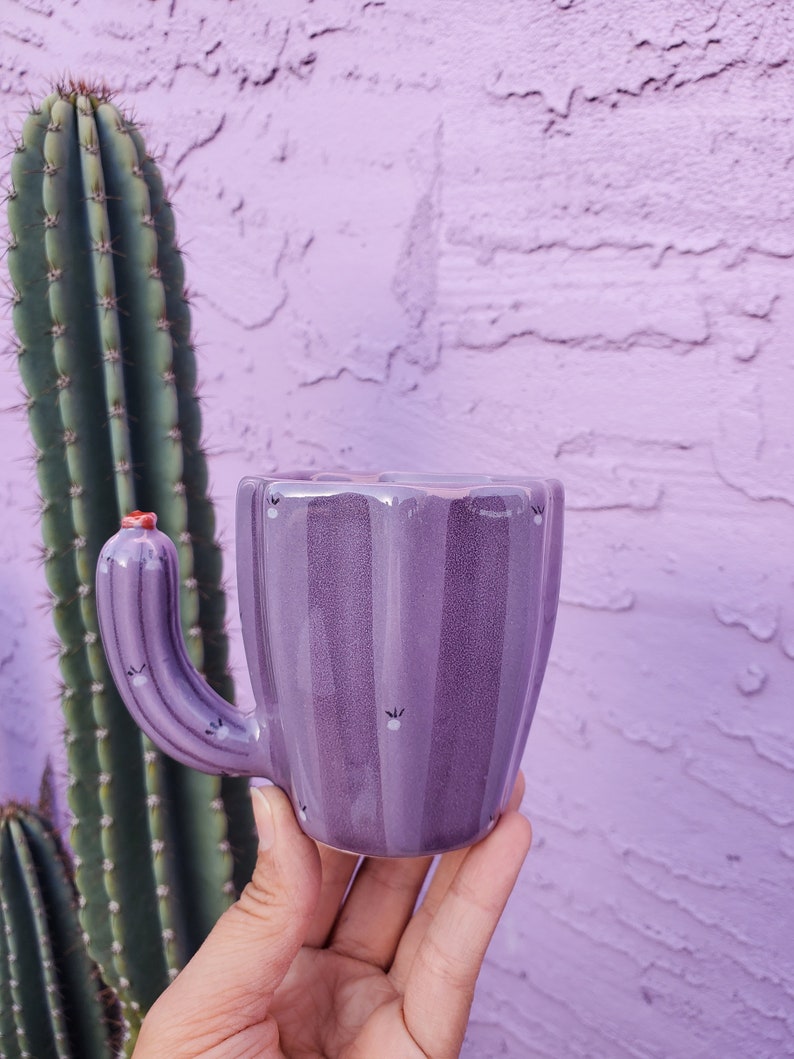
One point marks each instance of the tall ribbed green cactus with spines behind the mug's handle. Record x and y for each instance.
(106, 358)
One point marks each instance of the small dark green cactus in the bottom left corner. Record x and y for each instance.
(53, 1004)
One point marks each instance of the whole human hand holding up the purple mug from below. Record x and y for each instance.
(297, 971)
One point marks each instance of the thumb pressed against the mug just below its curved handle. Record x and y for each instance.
(241, 965)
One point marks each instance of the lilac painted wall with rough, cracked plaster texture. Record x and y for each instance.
(524, 236)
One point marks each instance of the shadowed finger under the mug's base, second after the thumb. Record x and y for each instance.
(378, 908)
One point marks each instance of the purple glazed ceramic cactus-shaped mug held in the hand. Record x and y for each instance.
(396, 629)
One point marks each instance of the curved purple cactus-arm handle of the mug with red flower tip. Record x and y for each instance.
(138, 604)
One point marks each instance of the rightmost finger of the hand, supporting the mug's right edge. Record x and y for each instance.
(441, 983)
